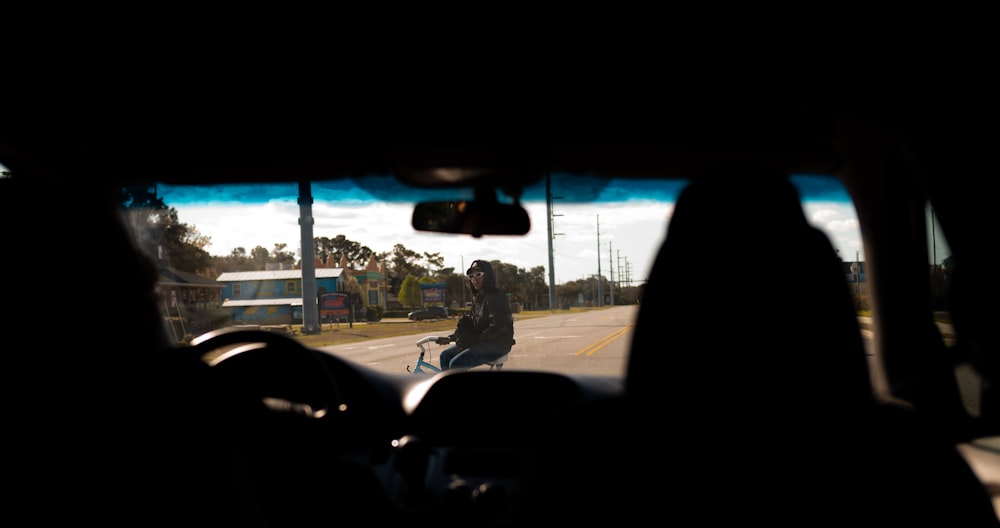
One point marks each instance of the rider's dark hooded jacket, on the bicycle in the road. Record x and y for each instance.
(490, 318)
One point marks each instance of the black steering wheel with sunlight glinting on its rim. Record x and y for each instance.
(278, 371)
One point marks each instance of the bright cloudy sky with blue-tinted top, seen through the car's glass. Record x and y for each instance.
(625, 228)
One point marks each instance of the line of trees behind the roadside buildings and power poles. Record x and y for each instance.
(162, 235)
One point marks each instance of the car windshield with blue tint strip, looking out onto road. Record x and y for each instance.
(232, 255)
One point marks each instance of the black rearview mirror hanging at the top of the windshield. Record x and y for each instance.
(472, 217)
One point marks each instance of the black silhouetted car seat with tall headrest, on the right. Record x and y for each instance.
(748, 363)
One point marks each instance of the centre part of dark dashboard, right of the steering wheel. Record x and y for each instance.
(473, 438)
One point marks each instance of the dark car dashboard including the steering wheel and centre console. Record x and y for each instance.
(456, 444)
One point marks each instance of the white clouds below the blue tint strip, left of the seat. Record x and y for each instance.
(632, 233)
